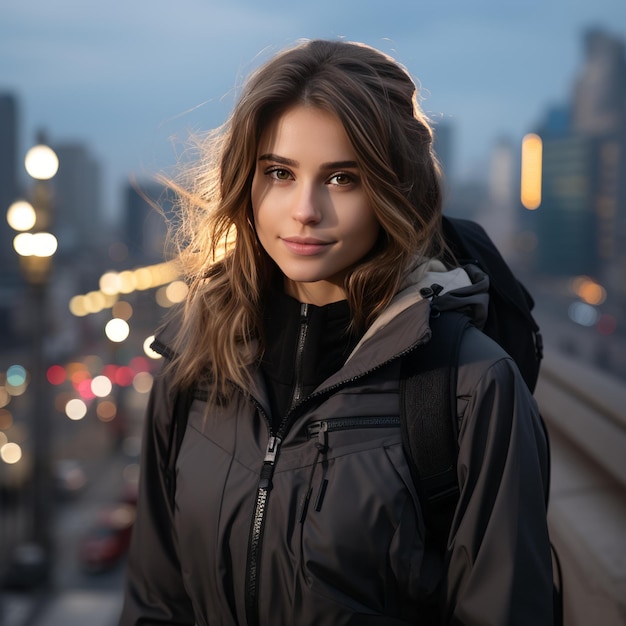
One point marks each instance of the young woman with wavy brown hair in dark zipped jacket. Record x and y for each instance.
(307, 240)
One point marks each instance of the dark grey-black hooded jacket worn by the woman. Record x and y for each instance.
(320, 522)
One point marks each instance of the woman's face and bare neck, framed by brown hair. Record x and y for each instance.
(311, 213)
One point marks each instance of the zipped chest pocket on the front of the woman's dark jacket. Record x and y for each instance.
(360, 515)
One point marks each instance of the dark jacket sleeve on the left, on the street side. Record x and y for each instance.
(154, 590)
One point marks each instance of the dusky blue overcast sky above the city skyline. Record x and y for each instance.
(131, 78)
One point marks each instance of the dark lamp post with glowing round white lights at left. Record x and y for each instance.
(35, 246)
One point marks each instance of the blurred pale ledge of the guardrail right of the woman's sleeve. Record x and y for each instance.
(585, 412)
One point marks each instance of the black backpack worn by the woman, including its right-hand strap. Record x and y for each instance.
(428, 407)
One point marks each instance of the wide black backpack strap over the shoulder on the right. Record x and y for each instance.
(429, 422)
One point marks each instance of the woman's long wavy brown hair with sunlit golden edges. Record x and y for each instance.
(227, 269)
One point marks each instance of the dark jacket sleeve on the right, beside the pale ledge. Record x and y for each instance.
(499, 555)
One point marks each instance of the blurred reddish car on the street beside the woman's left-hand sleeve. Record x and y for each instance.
(105, 544)
